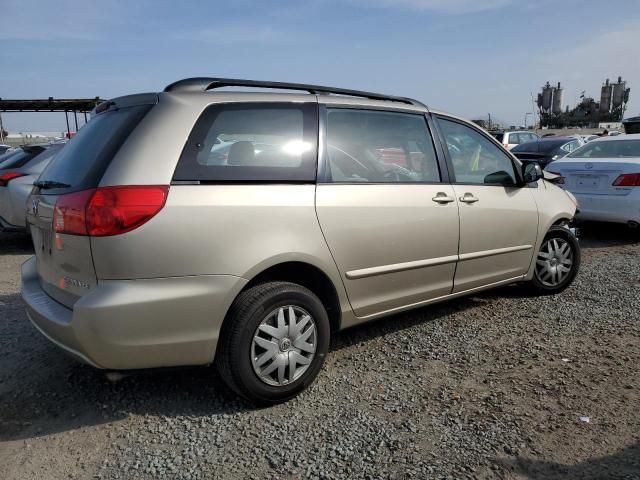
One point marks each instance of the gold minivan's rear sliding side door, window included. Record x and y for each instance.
(390, 220)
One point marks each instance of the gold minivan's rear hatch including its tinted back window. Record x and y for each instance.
(64, 262)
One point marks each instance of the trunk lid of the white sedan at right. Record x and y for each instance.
(595, 177)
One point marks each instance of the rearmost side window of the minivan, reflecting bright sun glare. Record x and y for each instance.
(252, 142)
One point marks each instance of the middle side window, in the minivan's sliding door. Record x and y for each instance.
(379, 147)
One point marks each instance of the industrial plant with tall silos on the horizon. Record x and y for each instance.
(588, 112)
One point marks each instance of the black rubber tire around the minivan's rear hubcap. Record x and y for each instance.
(233, 357)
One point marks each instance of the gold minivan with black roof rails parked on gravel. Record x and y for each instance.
(150, 255)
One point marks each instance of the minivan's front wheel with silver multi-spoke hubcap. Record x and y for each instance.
(557, 261)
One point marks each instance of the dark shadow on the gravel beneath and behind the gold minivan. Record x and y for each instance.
(43, 392)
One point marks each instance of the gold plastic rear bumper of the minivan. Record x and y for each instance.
(135, 324)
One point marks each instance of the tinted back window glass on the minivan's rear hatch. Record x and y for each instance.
(84, 159)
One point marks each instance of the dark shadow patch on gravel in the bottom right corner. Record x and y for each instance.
(622, 464)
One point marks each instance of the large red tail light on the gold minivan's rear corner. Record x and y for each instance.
(108, 211)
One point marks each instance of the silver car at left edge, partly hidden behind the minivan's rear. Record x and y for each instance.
(16, 185)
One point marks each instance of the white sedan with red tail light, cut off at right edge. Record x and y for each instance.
(604, 175)
